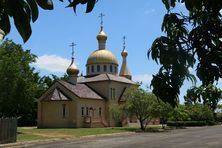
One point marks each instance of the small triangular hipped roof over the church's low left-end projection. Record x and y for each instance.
(56, 95)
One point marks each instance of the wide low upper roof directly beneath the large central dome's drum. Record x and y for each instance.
(105, 77)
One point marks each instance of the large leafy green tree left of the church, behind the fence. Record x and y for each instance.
(18, 81)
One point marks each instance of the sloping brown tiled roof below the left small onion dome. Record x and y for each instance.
(81, 90)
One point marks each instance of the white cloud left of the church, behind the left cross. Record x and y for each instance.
(52, 63)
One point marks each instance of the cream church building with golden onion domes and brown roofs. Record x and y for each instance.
(83, 101)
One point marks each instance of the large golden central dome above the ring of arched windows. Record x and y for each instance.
(102, 57)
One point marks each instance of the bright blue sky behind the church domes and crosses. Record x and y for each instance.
(54, 31)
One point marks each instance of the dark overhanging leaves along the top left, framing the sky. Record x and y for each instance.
(25, 11)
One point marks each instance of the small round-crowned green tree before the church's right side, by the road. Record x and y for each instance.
(141, 104)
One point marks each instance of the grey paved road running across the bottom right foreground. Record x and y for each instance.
(197, 137)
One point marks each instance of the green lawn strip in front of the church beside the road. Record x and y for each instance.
(33, 133)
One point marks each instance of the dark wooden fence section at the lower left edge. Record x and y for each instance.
(8, 130)
